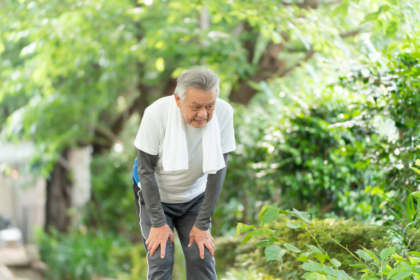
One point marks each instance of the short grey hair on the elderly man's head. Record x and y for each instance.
(197, 77)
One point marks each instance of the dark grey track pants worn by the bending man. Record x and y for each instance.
(181, 216)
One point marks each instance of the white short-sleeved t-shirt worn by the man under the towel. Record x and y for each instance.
(181, 186)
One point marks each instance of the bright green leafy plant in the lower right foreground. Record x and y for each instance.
(317, 261)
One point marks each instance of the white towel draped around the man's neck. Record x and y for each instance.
(175, 155)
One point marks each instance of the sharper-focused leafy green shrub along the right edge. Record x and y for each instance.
(392, 110)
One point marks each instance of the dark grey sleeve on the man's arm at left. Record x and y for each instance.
(146, 164)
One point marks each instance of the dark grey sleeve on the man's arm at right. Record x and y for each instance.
(213, 188)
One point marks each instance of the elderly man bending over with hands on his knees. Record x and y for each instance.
(183, 144)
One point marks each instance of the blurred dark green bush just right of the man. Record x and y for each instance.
(297, 154)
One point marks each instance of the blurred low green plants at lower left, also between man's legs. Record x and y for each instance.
(85, 253)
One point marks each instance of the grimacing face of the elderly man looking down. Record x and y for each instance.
(198, 106)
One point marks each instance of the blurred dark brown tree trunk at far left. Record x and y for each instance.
(59, 196)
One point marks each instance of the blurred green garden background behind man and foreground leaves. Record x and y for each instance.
(326, 99)
